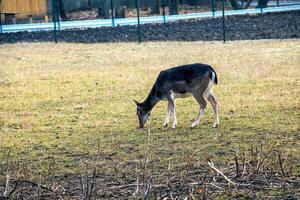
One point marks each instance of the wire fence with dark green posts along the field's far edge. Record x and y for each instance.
(113, 13)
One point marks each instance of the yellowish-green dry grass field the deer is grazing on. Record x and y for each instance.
(69, 103)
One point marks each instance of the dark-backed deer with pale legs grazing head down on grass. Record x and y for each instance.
(179, 82)
